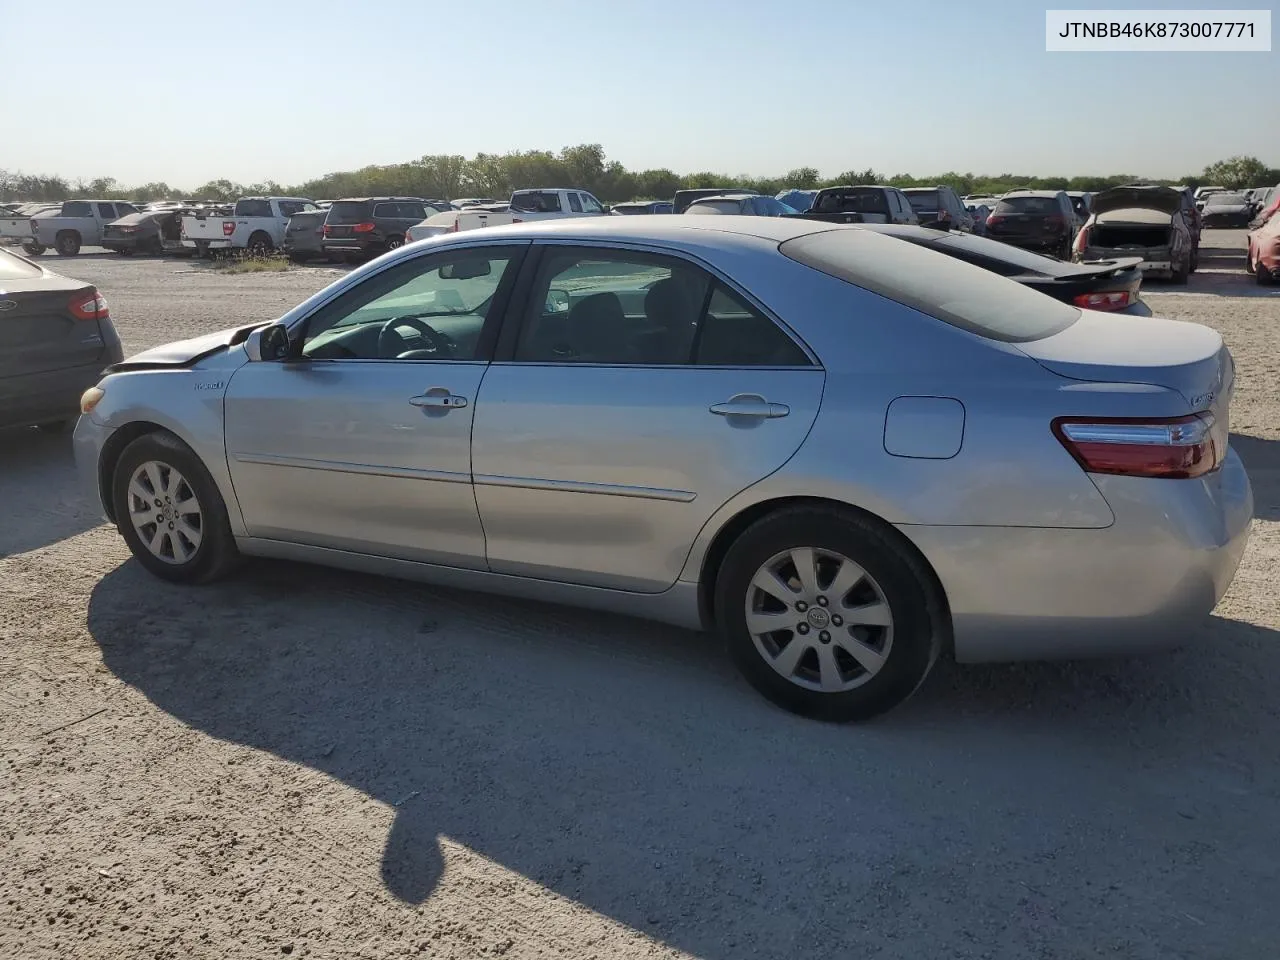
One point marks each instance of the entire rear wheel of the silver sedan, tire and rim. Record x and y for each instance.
(828, 615)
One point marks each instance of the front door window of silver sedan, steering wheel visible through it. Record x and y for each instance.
(429, 309)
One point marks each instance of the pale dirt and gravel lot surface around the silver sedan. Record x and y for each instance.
(312, 764)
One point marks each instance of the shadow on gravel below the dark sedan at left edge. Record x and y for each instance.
(40, 492)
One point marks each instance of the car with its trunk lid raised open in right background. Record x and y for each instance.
(1141, 222)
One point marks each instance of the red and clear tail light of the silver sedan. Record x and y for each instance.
(1176, 449)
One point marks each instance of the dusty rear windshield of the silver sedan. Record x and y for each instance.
(947, 289)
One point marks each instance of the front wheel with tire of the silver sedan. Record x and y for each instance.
(170, 511)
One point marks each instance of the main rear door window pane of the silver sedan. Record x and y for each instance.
(612, 308)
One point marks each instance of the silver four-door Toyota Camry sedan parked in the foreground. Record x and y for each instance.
(845, 454)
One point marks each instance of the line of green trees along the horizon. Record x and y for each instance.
(447, 177)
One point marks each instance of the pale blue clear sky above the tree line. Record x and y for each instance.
(143, 90)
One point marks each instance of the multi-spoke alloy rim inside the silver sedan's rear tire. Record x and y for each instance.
(820, 620)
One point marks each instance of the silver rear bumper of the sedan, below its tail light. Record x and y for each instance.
(1149, 582)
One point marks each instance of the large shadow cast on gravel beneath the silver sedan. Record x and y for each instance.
(624, 766)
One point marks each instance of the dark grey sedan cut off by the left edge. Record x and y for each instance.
(56, 340)
